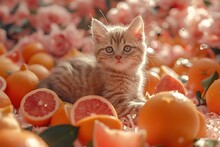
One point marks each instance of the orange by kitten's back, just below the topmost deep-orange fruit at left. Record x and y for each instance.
(44, 59)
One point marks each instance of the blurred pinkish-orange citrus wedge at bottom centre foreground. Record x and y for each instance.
(103, 136)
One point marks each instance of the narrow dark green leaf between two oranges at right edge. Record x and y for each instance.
(206, 83)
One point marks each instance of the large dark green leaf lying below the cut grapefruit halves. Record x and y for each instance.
(60, 135)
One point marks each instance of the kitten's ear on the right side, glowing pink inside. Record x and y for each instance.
(136, 28)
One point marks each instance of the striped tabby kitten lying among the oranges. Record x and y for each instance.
(115, 71)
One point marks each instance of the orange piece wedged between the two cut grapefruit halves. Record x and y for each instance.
(61, 116)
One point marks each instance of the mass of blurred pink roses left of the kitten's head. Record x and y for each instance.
(60, 25)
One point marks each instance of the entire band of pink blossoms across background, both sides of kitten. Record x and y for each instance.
(61, 25)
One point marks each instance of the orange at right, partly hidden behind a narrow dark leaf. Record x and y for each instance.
(200, 70)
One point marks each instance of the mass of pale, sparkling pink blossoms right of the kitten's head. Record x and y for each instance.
(189, 23)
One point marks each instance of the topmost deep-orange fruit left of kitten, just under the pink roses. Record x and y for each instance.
(30, 49)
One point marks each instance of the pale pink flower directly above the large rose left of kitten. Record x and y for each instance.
(46, 16)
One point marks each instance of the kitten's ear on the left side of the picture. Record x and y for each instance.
(99, 31)
